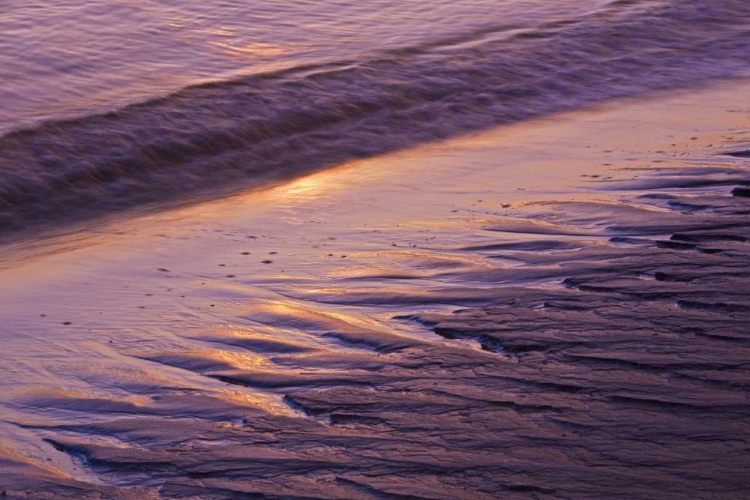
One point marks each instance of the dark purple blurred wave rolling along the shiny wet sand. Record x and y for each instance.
(281, 125)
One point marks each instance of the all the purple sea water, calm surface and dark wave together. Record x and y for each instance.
(111, 104)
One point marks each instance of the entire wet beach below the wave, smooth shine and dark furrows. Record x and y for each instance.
(555, 309)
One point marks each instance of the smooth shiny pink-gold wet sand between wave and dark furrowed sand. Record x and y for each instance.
(165, 303)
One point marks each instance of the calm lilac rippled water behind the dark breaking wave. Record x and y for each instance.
(71, 57)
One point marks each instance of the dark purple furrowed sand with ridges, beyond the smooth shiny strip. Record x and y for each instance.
(613, 368)
